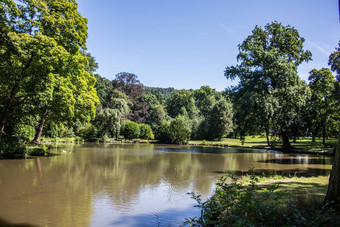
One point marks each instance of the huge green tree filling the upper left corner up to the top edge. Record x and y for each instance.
(40, 57)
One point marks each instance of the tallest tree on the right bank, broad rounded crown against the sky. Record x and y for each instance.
(269, 59)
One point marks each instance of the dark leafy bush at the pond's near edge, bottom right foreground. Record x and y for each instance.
(242, 203)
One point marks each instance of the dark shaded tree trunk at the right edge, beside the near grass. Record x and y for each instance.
(333, 192)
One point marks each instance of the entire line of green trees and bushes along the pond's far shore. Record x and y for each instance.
(49, 87)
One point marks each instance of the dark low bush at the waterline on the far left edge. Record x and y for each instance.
(13, 147)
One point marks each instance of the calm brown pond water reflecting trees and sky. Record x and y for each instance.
(128, 185)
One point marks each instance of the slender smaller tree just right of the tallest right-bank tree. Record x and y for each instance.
(322, 84)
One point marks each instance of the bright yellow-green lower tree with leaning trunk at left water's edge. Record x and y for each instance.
(70, 95)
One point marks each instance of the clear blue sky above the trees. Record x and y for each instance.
(188, 43)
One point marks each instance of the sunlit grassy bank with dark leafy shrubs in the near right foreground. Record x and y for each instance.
(266, 201)
